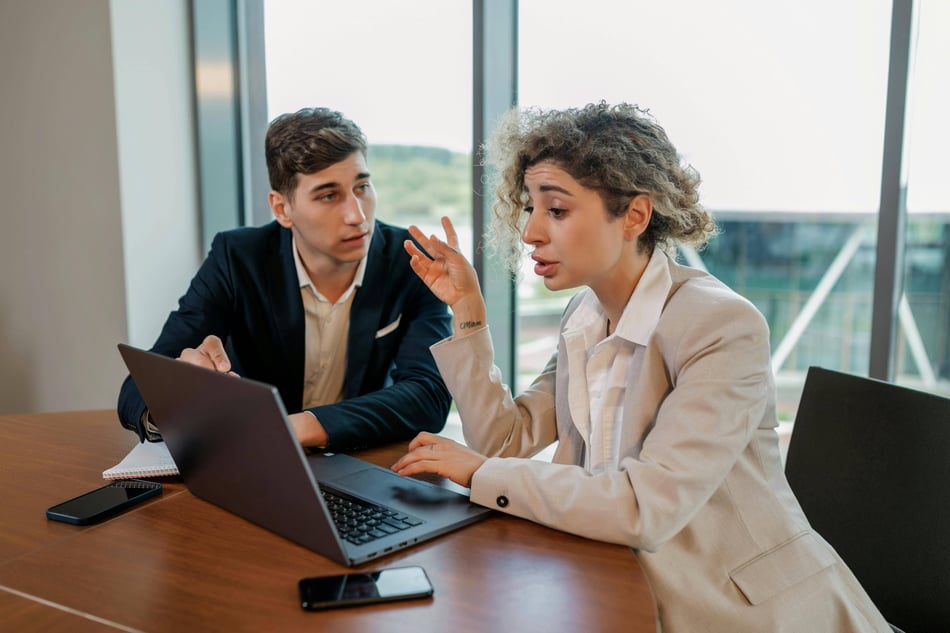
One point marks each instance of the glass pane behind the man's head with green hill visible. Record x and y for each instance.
(408, 85)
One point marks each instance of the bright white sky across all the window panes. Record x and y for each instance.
(779, 105)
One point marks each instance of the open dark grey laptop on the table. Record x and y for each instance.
(234, 447)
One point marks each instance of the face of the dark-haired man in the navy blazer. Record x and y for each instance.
(331, 214)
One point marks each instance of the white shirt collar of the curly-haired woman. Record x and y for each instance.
(641, 313)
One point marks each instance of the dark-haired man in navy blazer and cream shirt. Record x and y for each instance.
(321, 303)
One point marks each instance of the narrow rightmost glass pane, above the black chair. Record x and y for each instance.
(923, 351)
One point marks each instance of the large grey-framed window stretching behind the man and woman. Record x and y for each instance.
(780, 106)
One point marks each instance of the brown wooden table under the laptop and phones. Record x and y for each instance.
(177, 563)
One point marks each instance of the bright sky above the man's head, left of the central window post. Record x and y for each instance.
(400, 70)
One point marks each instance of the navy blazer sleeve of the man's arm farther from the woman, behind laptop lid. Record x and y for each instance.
(204, 309)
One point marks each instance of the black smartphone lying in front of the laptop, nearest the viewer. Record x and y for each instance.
(345, 590)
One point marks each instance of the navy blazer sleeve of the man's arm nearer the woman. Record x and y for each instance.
(416, 398)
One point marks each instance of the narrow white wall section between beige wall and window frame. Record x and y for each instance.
(157, 163)
